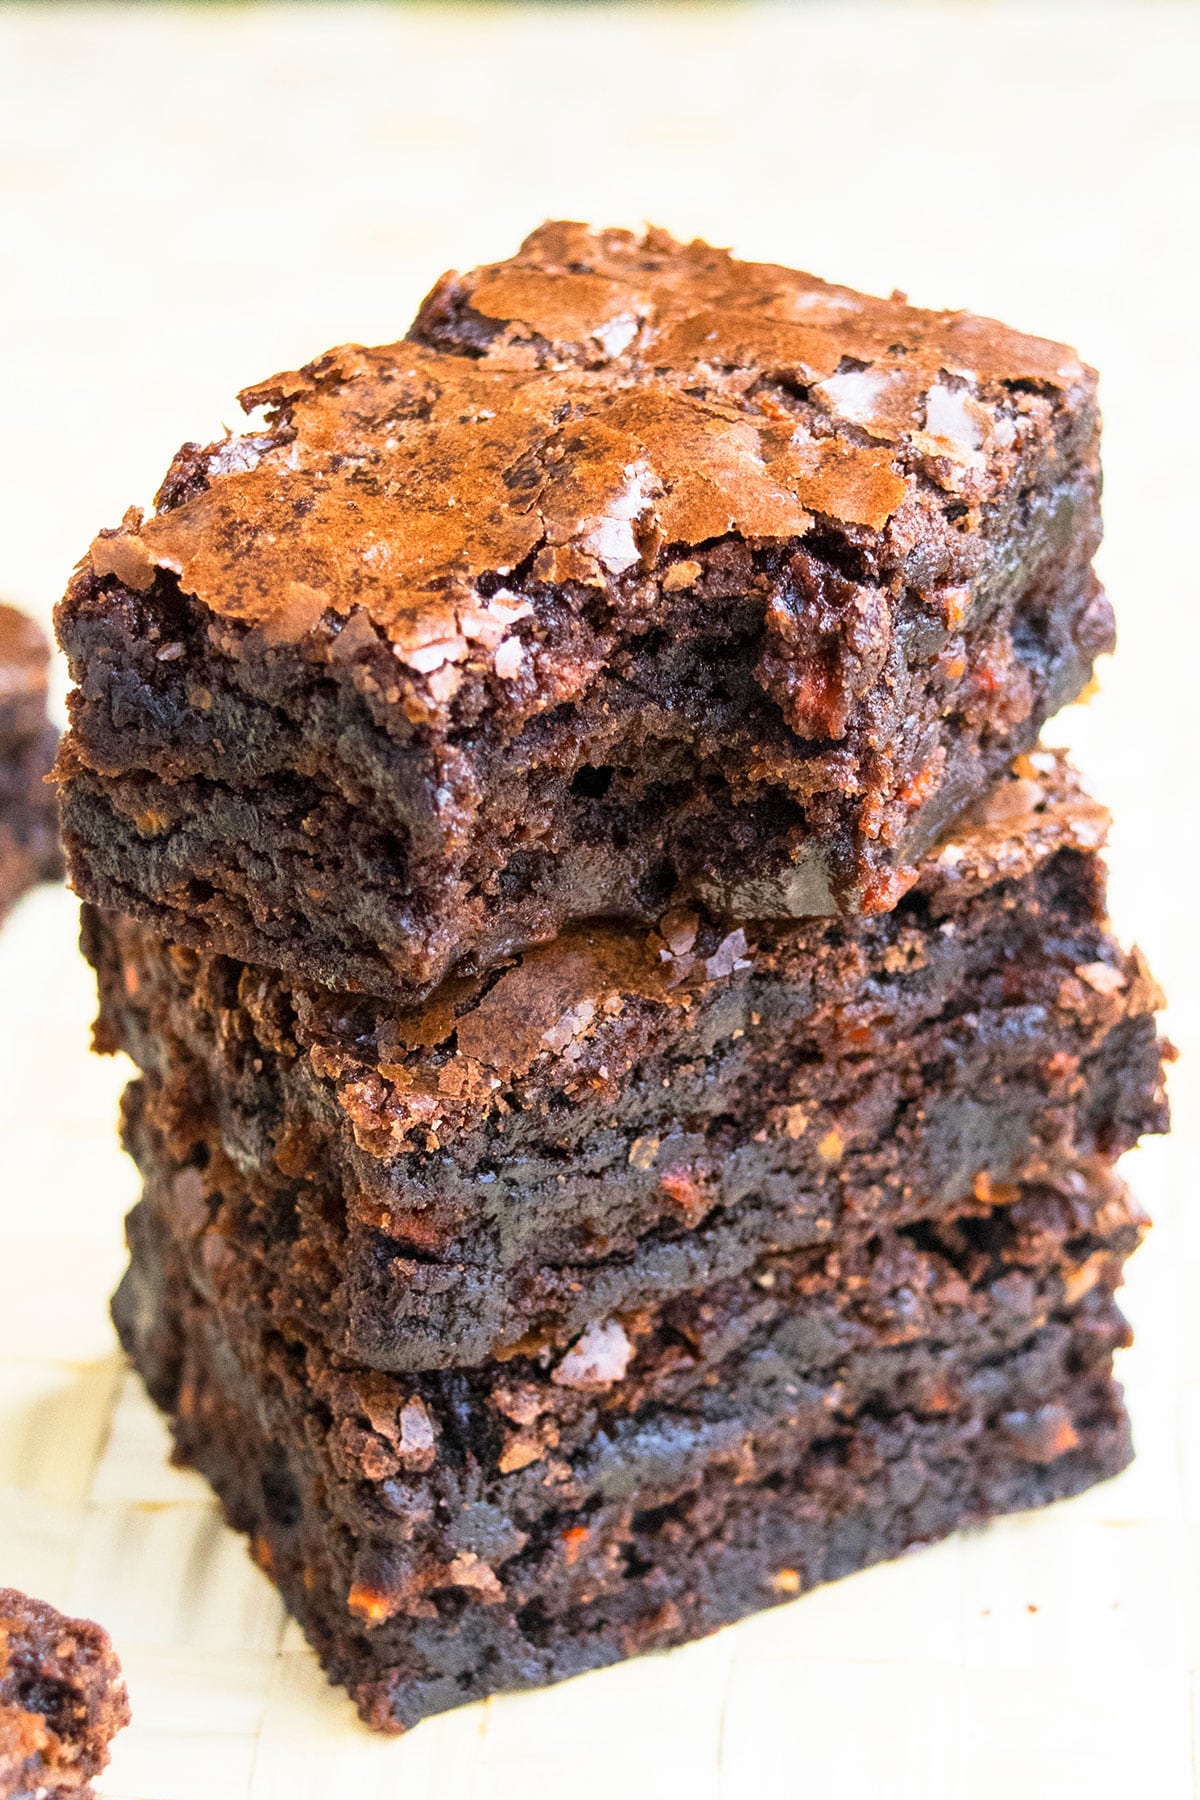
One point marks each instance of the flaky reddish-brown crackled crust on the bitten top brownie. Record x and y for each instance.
(586, 415)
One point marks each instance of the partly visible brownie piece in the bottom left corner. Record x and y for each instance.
(62, 1700)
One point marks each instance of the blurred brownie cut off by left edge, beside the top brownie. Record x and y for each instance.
(30, 850)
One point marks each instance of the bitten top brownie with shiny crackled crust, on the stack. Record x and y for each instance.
(634, 577)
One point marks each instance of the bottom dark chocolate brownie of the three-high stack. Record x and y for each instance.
(456, 1534)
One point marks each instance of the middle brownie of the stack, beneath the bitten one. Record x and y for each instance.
(625, 1115)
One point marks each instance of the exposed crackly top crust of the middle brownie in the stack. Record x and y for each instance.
(573, 1016)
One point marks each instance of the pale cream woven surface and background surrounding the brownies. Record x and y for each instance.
(193, 199)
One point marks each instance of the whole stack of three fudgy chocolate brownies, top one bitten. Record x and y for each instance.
(632, 1054)
